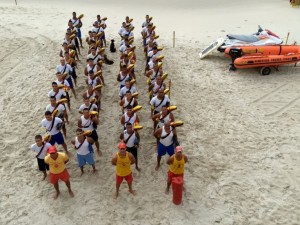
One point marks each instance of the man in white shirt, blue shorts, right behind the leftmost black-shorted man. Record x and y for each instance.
(53, 126)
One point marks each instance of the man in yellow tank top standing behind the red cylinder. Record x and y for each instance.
(176, 166)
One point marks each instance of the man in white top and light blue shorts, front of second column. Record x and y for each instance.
(84, 148)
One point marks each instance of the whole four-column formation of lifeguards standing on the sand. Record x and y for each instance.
(86, 140)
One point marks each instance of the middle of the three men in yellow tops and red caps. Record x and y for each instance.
(123, 161)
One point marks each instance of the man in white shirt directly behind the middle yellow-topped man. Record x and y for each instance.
(132, 140)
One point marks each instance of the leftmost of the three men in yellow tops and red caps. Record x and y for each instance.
(56, 161)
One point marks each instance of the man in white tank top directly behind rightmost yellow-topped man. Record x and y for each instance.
(167, 136)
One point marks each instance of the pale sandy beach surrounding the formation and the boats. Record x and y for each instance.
(241, 130)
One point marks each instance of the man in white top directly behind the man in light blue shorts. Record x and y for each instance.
(90, 122)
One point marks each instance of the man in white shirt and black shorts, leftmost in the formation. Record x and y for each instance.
(40, 148)
